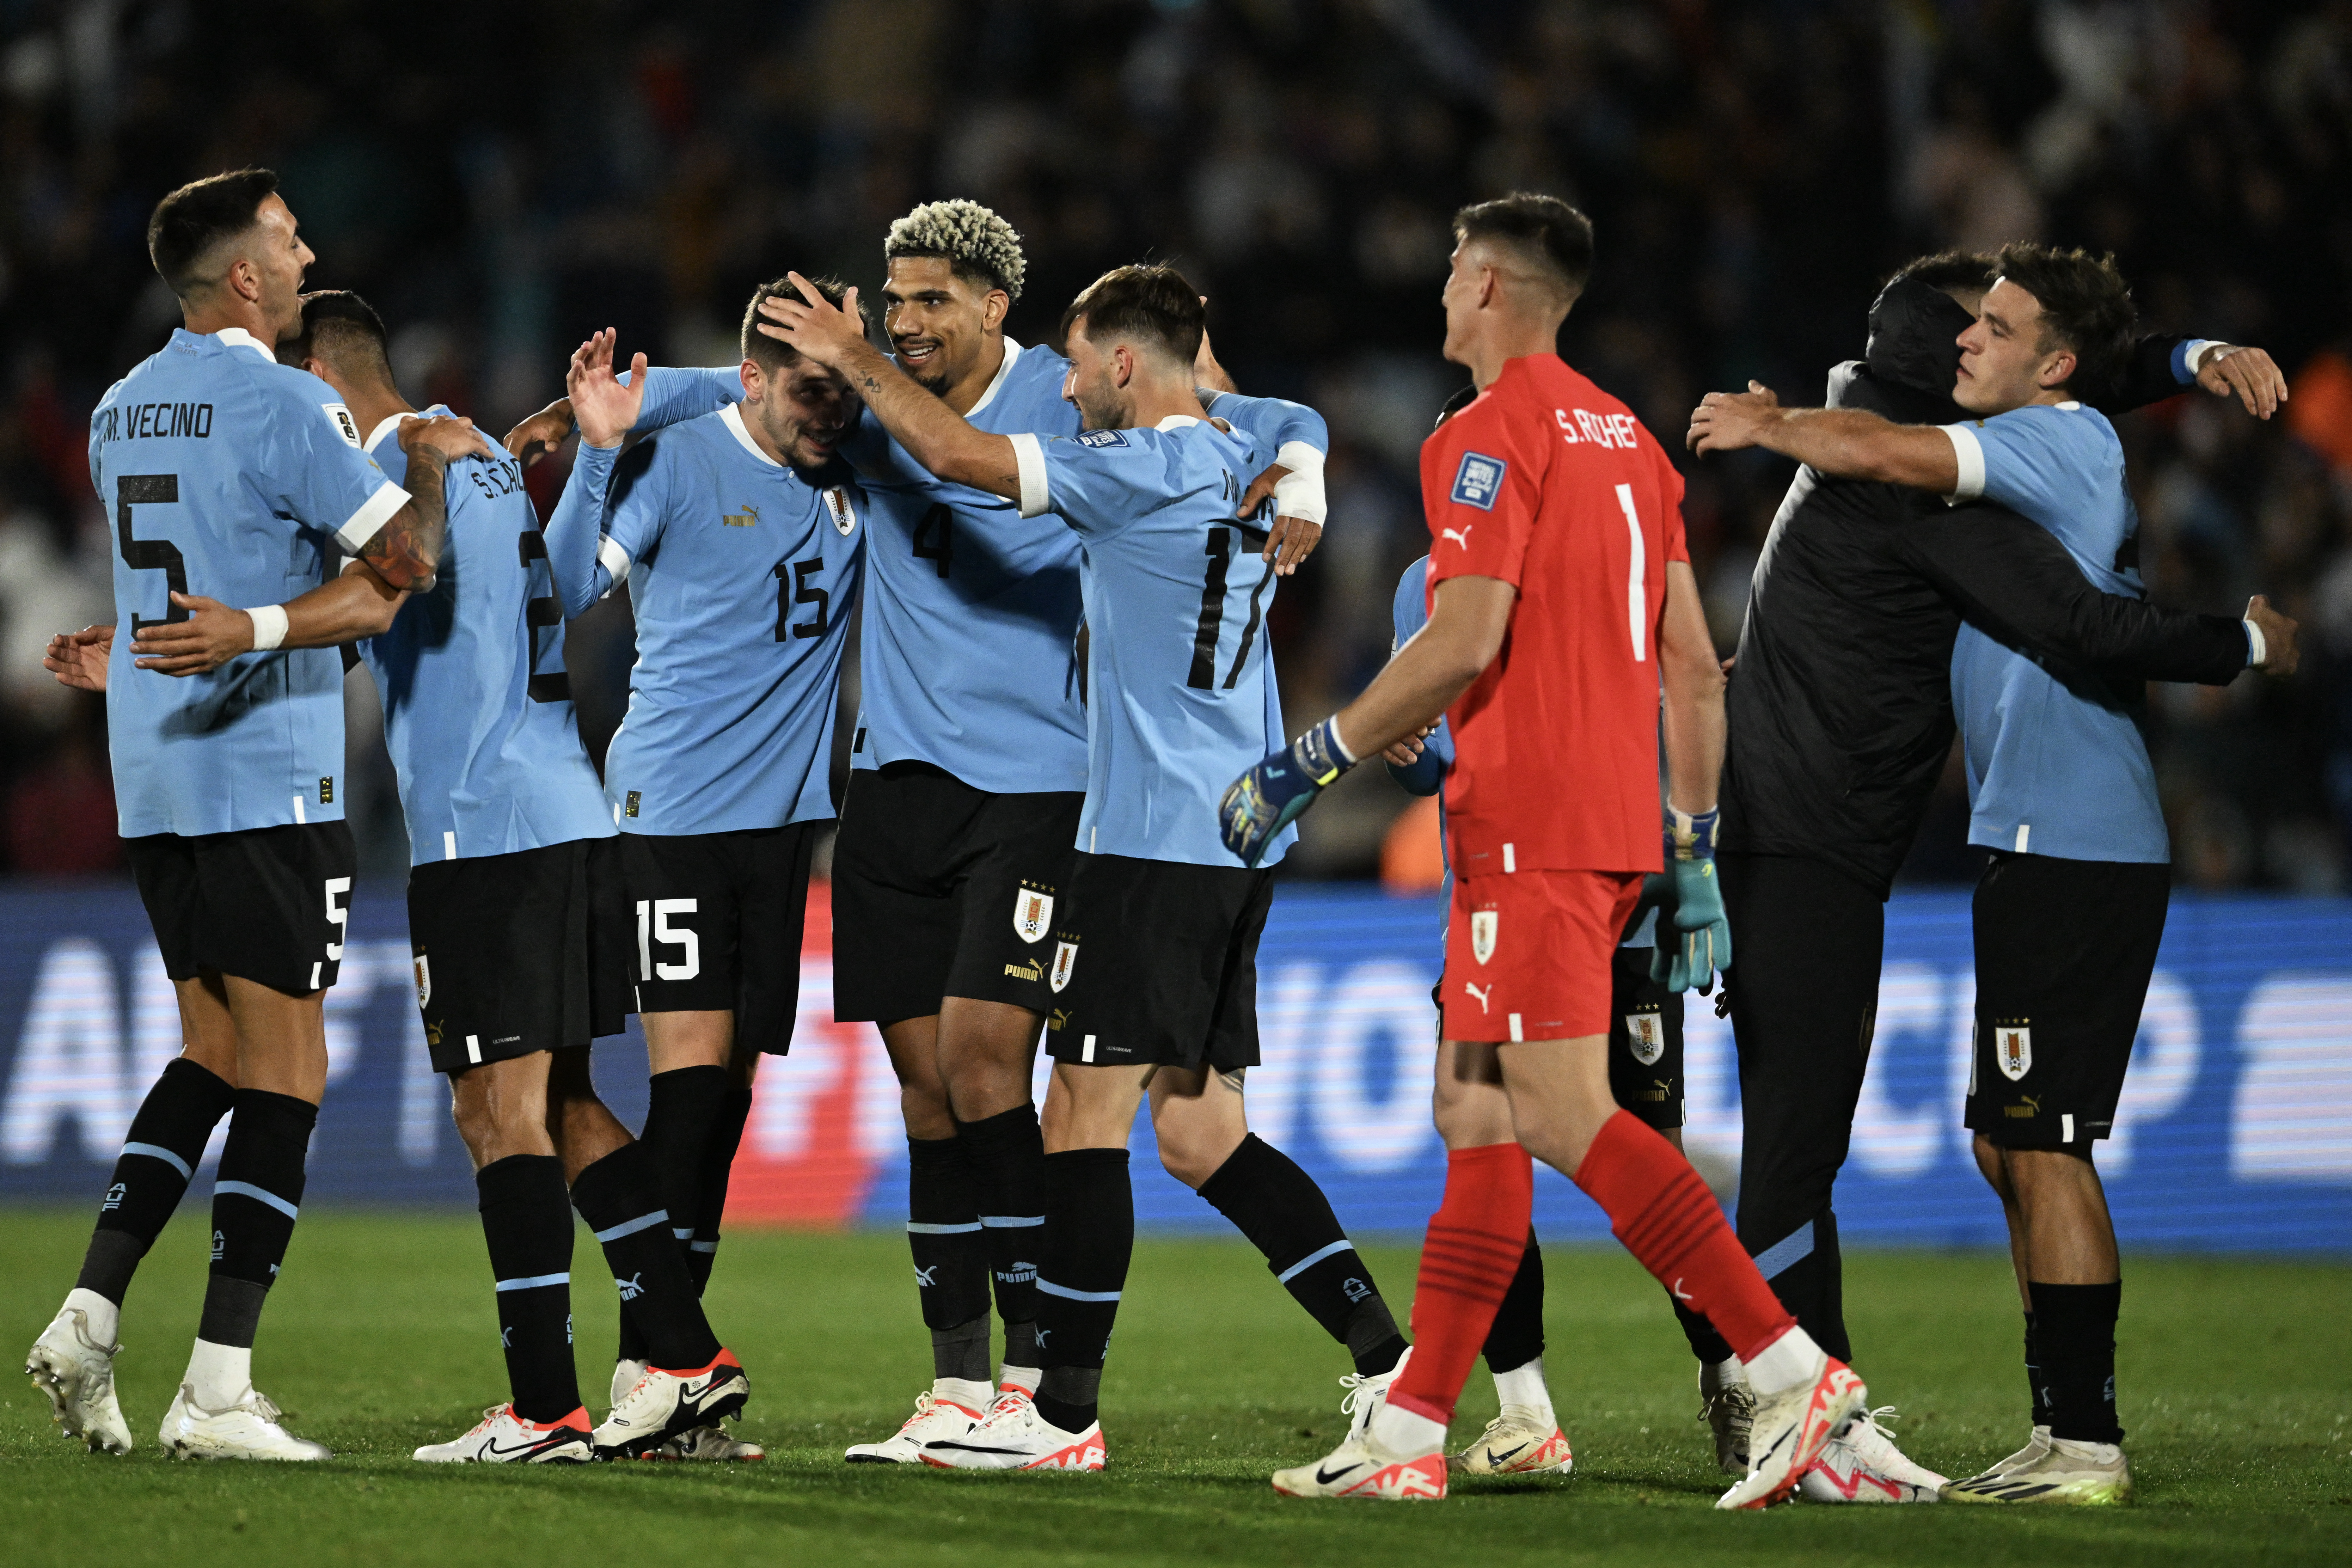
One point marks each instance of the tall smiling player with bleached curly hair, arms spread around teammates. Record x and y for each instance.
(968, 777)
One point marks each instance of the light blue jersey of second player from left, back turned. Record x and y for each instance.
(472, 678)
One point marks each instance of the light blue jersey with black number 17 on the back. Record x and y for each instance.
(1180, 674)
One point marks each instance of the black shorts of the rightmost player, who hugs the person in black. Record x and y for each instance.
(2064, 953)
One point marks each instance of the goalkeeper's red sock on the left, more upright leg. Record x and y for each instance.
(1474, 1249)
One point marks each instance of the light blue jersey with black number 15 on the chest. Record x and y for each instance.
(742, 575)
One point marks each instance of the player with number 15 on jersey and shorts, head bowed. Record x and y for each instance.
(742, 544)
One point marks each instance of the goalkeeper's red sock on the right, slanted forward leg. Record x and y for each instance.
(1669, 1219)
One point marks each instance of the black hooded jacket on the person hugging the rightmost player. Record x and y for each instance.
(1843, 695)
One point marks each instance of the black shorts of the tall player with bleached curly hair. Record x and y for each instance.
(942, 890)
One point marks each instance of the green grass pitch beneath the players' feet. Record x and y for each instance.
(2236, 1379)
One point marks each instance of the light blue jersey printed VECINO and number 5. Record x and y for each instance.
(227, 476)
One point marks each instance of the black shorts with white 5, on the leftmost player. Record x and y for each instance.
(267, 904)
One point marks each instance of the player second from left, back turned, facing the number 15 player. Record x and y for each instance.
(523, 949)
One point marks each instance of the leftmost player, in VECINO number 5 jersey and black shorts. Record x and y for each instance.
(229, 481)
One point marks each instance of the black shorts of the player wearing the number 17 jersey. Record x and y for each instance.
(1156, 963)
